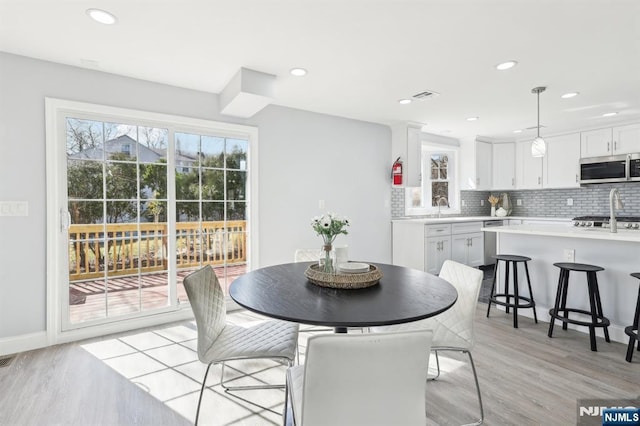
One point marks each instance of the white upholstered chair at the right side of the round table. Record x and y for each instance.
(453, 329)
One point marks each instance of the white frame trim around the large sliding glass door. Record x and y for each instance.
(56, 274)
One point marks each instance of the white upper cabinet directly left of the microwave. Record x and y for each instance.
(561, 163)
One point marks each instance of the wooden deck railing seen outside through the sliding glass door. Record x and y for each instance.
(129, 248)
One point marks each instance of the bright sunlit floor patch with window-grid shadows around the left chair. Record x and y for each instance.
(164, 362)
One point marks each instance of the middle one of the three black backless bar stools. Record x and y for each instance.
(560, 310)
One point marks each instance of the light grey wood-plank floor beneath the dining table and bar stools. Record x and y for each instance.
(151, 377)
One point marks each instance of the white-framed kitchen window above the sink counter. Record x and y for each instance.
(439, 192)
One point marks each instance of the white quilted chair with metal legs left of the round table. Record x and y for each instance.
(219, 342)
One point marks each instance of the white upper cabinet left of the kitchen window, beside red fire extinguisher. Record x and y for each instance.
(406, 144)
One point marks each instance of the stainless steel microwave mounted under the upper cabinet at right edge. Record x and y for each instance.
(615, 168)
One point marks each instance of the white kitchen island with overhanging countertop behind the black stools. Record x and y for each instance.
(546, 244)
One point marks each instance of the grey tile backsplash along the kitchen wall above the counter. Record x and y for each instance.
(588, 200)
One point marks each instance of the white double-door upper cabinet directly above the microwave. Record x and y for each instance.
(610, 141)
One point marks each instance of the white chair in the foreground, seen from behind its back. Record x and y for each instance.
(361, 380)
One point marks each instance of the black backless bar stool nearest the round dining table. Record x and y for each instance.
(509, 259)
